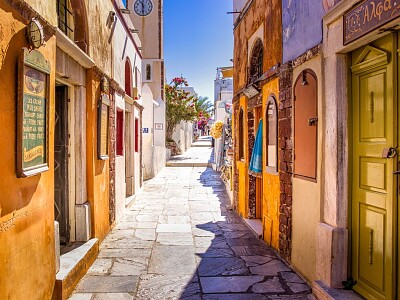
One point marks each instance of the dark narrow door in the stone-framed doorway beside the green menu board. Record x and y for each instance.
(61, 206)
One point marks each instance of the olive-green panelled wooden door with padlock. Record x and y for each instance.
(374, 195)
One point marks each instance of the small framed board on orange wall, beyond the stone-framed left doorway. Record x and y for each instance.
(103, 127)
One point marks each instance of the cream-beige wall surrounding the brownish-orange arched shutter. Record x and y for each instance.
(306, 210)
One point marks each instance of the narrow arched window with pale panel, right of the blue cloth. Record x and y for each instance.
(271, 117)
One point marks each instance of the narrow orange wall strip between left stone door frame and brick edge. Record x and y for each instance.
(98, 170)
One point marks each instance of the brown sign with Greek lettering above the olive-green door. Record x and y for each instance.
(367, 16)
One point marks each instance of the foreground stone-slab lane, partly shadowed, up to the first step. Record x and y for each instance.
(179, 240)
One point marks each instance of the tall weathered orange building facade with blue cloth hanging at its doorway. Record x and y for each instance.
(257, 52)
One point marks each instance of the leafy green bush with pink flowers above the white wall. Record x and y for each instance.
(180, 106)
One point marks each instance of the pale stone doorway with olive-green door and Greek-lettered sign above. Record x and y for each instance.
(358, 228)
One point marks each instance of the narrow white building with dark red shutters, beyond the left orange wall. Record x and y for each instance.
(127, 66)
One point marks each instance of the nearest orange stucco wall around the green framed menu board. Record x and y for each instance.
(27, 255)
